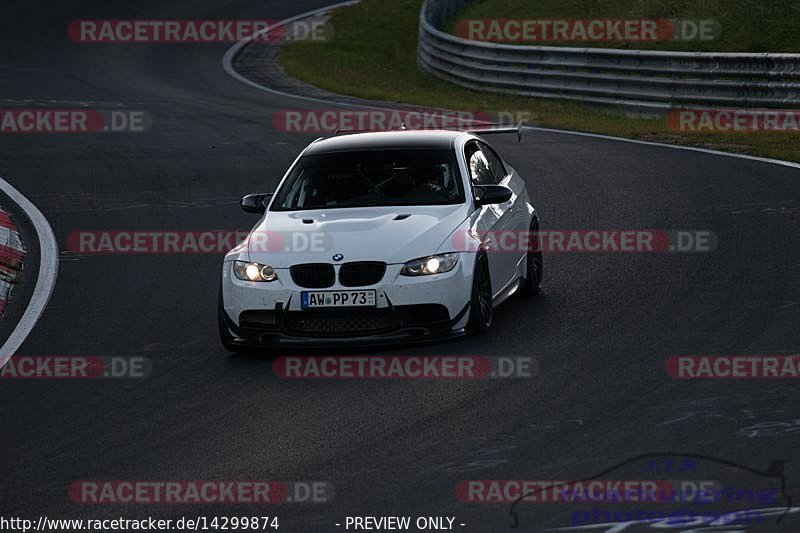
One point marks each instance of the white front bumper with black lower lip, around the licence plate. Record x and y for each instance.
(407, 309)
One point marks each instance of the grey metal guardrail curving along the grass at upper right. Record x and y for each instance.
(631, 78)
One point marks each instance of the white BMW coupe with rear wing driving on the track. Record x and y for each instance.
(382, 237)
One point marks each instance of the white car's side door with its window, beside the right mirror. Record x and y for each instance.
(492, 220)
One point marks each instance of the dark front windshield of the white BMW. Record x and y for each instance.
(372, 178)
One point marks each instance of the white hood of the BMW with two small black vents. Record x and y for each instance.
(390, 234)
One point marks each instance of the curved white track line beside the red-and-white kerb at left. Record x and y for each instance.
(48, 272)
